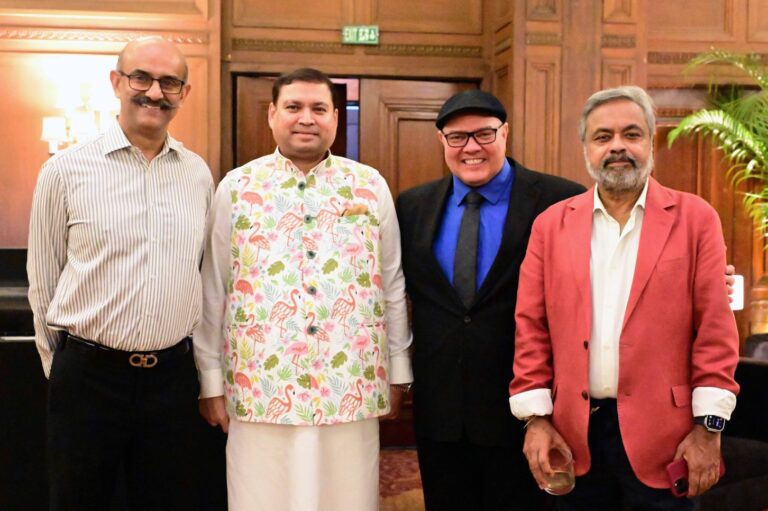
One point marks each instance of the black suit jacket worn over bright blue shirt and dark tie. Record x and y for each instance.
(463, 357)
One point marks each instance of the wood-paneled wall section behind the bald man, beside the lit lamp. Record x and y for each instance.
(50, 45)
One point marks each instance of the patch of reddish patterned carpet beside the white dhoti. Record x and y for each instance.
(399, 481)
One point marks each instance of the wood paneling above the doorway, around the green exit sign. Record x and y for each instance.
(430, 39)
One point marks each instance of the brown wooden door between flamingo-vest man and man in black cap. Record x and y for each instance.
(397, 129)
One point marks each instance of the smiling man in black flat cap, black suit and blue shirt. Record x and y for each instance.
(470, 446)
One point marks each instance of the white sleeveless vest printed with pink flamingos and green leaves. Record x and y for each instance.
(298, 295)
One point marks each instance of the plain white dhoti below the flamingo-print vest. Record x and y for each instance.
(303, 468)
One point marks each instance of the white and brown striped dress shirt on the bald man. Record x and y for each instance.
(115, 243)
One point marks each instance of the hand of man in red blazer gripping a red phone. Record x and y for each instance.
(701, 449)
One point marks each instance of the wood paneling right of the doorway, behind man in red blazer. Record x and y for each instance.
(547, 56)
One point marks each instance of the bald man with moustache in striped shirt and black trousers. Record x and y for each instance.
(116, 237)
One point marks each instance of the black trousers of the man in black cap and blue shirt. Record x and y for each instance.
(463, 476)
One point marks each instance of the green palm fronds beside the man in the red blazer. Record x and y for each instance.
(737, 122)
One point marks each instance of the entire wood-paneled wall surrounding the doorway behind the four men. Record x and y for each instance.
(543, 58)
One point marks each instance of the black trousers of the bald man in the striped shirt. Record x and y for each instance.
(104, 414)
